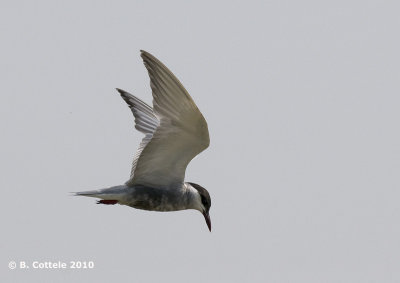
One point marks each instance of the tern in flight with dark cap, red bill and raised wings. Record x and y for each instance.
(175, 132)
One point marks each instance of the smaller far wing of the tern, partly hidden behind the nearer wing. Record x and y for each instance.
(145, 121)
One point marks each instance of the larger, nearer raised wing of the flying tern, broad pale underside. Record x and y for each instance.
(182, 132)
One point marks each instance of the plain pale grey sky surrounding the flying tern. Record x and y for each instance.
(302, 102)
